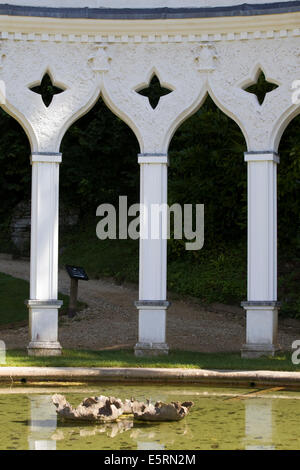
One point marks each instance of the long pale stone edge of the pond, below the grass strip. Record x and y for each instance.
(150, 375)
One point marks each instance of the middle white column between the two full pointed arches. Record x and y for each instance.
(152, 304)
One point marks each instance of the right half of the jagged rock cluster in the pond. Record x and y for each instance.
(174, 411)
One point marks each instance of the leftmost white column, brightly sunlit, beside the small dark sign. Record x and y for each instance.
(43, 304)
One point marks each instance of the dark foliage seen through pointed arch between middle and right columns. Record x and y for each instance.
(207, 167)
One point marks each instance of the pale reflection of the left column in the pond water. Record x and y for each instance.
(43, 423)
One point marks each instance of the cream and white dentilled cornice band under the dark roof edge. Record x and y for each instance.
(189, 30)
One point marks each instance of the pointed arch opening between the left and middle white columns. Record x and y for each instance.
(99, 165)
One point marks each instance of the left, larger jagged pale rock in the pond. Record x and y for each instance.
(93, 409)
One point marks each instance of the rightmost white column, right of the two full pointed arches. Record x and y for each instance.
(262, 305)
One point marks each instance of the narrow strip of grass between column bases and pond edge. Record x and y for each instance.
(126, 358)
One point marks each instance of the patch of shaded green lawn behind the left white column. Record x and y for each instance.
(13, 293)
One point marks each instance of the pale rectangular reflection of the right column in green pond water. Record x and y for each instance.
(258, 424)
